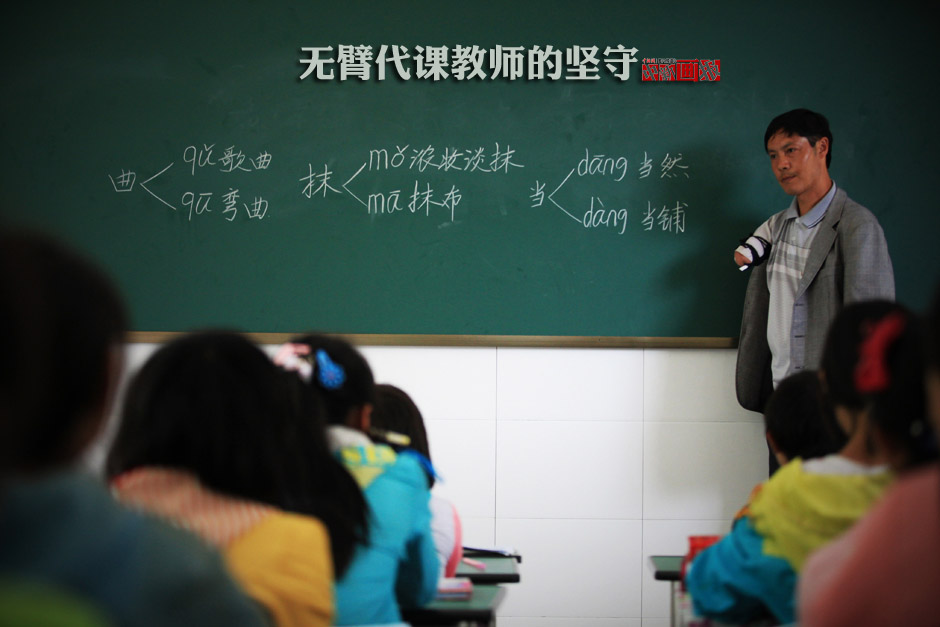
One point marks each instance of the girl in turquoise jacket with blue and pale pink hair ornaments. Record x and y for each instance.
(398, 566)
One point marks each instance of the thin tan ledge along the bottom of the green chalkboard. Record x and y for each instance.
(507, 341)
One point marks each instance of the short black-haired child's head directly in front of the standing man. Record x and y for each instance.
(799, 421)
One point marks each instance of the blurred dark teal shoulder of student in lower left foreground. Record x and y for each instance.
(141, 570)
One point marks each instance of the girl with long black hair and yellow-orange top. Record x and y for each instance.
(211, 440)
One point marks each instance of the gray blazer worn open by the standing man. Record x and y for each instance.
(848, 262)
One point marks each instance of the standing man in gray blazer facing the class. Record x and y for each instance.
(826, 250)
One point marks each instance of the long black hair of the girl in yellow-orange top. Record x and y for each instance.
(214, 404)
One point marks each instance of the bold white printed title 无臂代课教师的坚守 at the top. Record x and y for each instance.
(464, 63)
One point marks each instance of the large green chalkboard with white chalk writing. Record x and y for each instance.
(177, 143)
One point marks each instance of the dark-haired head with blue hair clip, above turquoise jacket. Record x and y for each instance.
(341, 376)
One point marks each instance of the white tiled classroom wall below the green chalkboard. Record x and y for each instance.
(585, 460)
